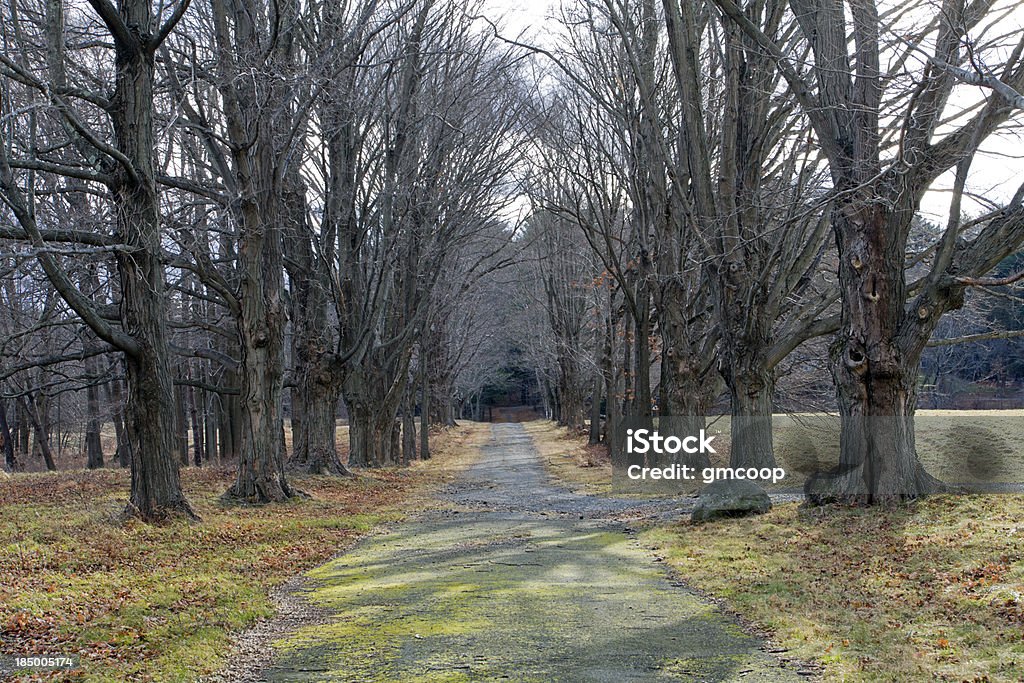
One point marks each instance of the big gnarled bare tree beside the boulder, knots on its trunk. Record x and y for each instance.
(887, 137)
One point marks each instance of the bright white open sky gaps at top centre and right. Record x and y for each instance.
(997, 173)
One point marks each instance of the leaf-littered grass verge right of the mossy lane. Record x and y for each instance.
(931, 591)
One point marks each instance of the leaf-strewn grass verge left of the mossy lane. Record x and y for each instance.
(157, 604)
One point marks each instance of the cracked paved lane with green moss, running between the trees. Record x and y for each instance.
(515, 579)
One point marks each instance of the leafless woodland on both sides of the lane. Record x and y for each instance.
(303, 239)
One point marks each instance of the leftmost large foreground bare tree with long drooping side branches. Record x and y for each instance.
(129, 176)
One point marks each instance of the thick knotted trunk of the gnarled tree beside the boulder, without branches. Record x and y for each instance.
(874, 369)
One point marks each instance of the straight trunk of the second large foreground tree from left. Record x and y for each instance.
(255, 131)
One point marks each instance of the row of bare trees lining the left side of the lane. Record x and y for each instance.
(216, 202)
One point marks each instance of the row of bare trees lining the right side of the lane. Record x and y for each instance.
(748, 179)
